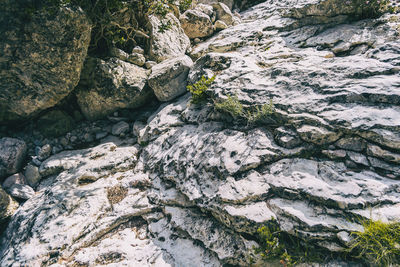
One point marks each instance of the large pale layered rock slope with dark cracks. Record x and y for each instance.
(191, 185)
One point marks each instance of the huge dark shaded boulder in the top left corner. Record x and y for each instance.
(40, 57)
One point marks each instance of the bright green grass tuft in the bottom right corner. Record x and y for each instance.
(379, 243)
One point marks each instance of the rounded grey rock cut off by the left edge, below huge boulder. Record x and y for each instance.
(12, 155)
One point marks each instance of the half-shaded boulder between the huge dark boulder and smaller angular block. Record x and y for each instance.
(109, 85)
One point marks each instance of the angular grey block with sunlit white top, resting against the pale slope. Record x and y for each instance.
(168, 79)
